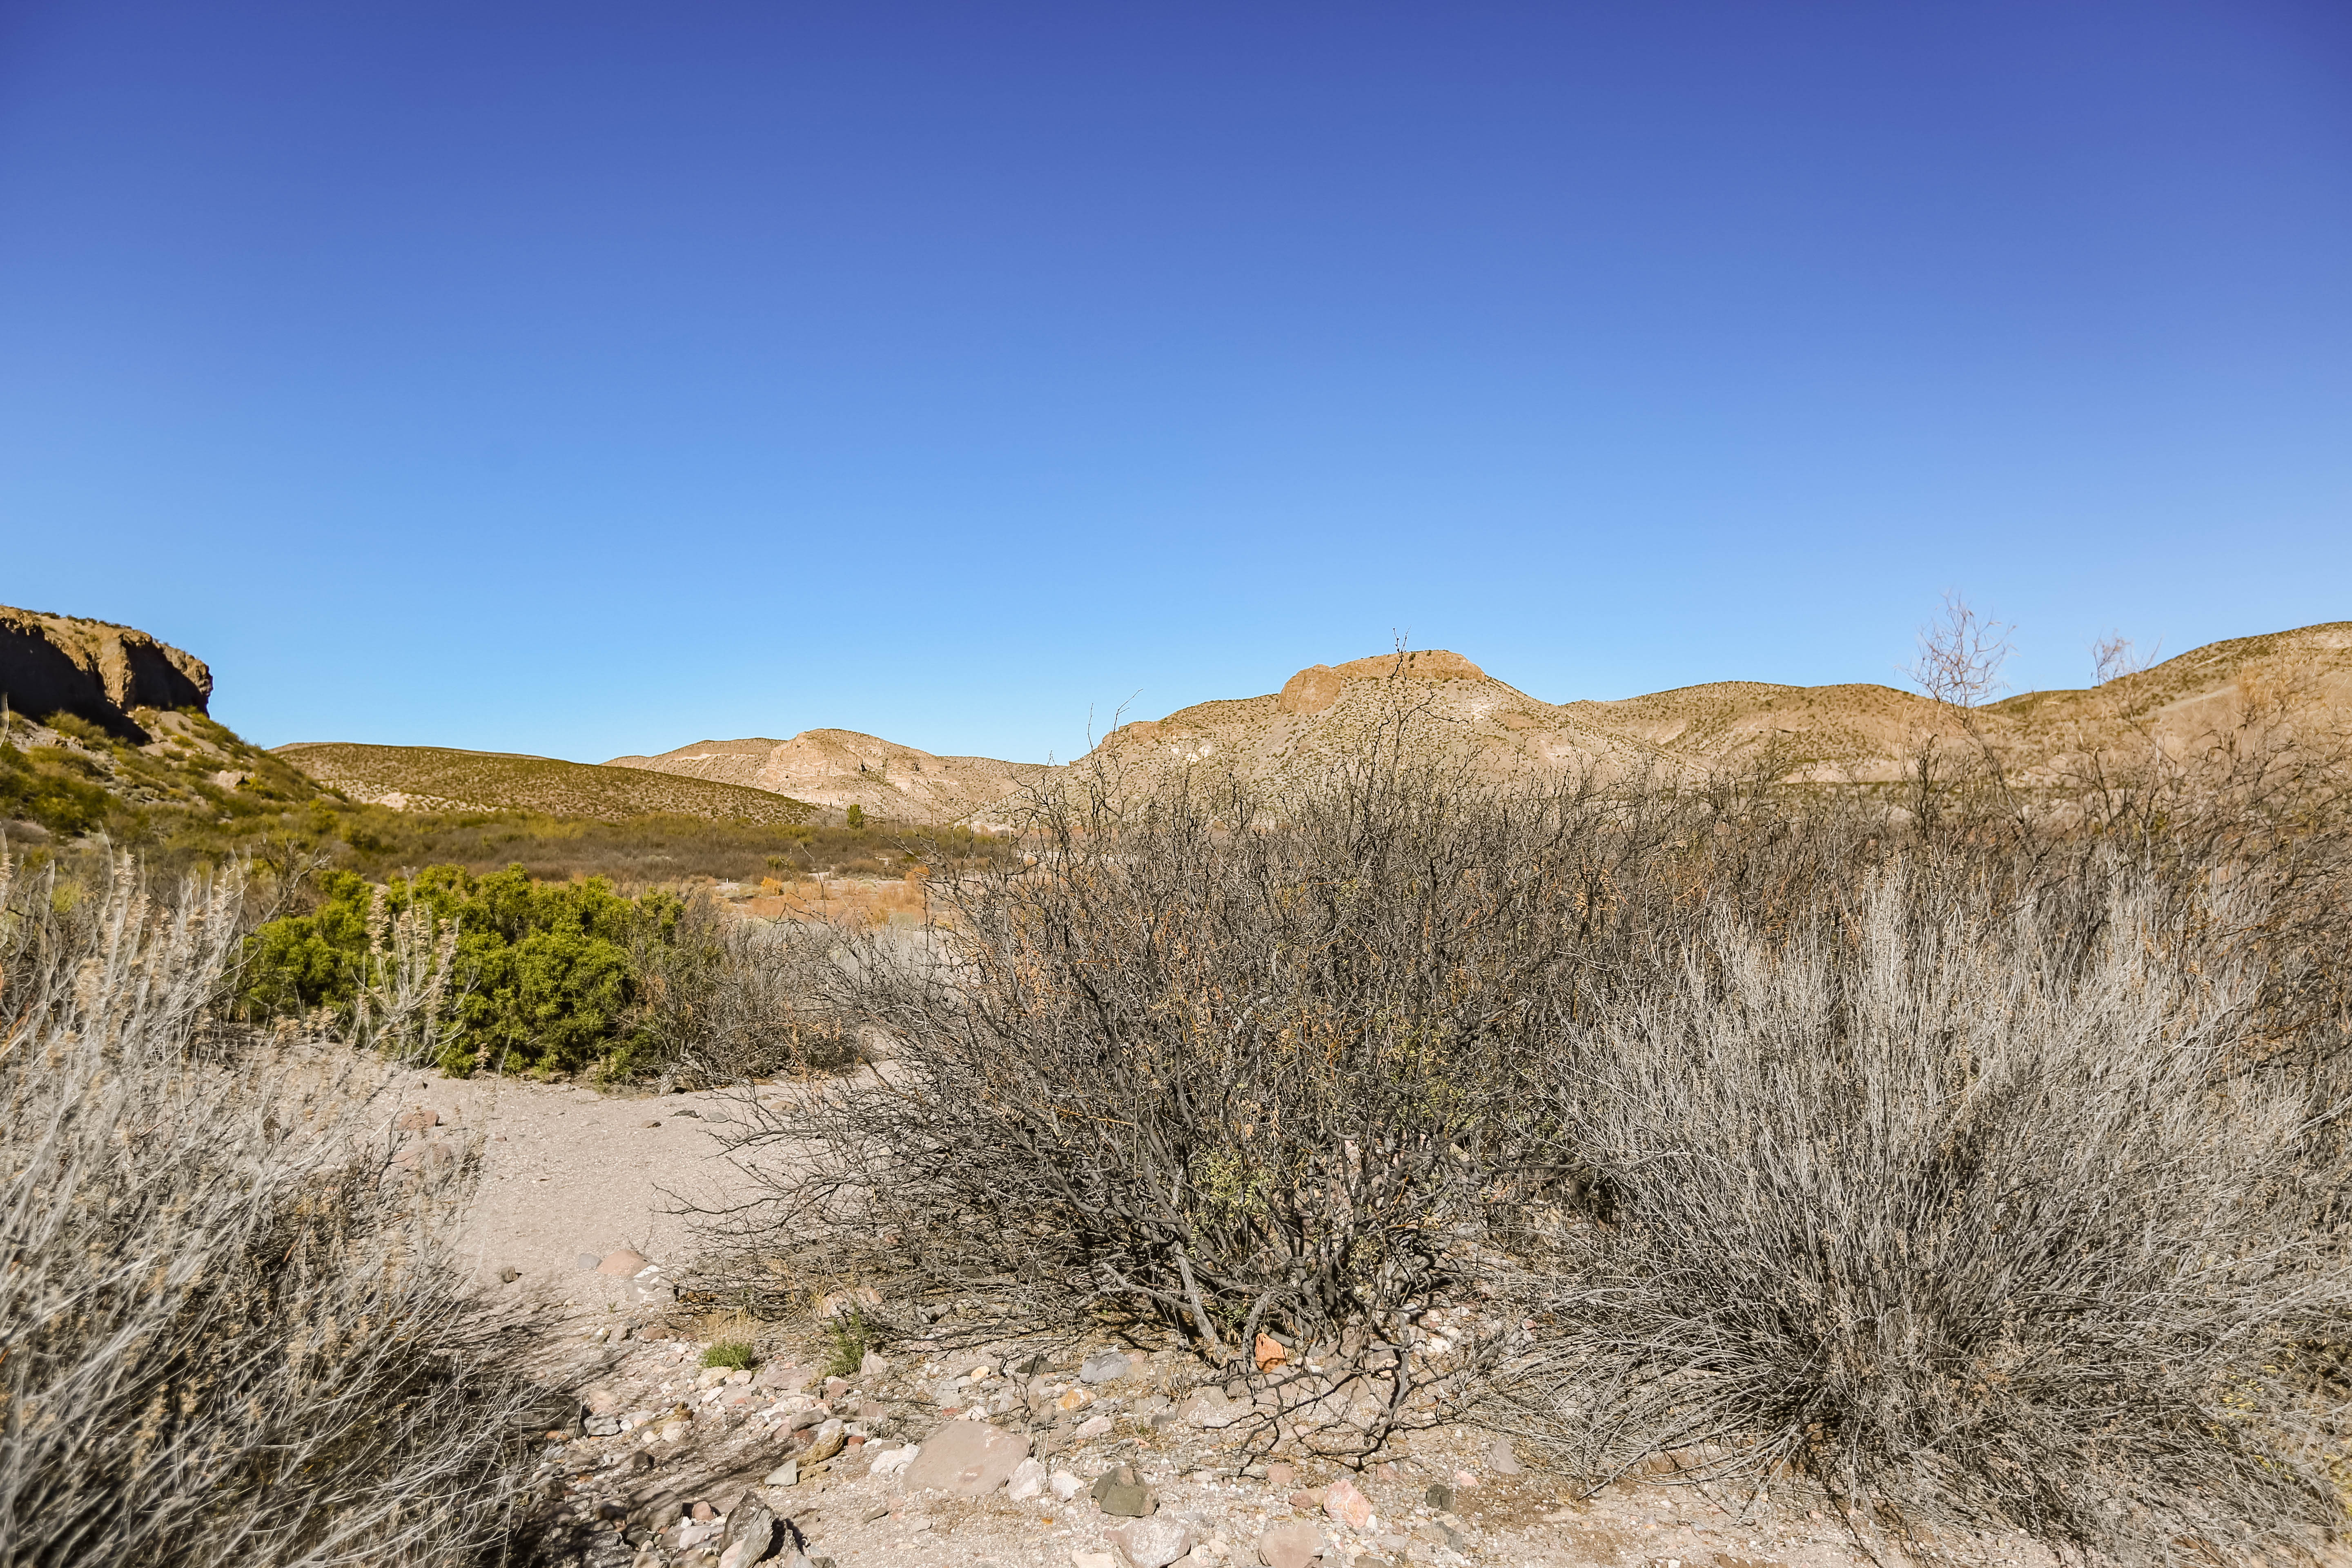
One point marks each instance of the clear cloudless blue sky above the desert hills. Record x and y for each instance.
(594, 377)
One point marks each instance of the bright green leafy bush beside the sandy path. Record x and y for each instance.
(544, 974)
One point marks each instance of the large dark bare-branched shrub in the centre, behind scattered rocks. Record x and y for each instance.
(1227, 1059)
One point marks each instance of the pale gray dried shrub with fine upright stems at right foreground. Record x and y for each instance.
(1975, 1212)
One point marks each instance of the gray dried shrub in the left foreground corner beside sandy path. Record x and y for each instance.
(229, 1329)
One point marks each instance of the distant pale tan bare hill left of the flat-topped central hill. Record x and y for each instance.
(841, 768)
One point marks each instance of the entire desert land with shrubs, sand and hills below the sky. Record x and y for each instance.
(1728, 1127)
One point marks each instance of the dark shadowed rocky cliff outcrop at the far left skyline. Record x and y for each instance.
(95, 671)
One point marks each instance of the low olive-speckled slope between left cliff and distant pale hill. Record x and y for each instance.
(446, 779)
